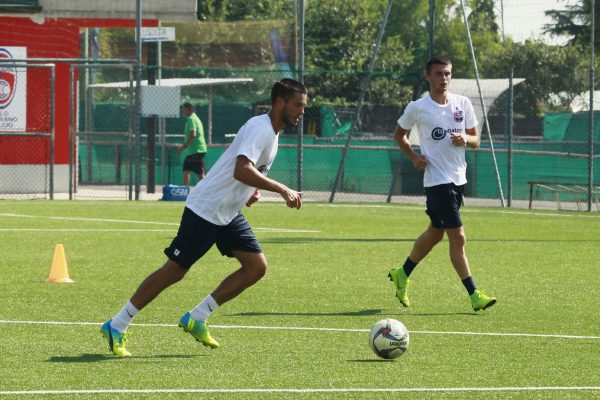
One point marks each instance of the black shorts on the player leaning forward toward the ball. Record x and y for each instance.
(196, 236)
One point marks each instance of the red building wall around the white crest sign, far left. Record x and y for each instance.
(50, 39)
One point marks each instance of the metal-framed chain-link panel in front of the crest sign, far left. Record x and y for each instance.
(27, 146)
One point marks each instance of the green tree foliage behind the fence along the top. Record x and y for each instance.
(340, 35)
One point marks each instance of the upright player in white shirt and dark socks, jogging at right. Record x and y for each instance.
(446, 125)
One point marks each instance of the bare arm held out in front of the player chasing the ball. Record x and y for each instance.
(246, 172)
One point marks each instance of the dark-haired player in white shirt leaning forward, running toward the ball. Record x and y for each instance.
(212, 216)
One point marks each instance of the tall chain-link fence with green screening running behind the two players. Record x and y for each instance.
(531, 96)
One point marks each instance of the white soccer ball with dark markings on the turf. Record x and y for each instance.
(388, 338)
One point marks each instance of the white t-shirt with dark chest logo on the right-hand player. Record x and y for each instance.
(435, 124)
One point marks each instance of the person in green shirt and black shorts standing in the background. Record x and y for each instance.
(194, 148)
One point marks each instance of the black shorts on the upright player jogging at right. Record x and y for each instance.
(443, 205)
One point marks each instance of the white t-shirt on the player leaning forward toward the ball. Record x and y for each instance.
(219, 197)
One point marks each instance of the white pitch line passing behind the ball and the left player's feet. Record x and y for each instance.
(300, 328)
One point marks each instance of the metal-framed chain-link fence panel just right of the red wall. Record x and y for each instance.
(102, 132)
